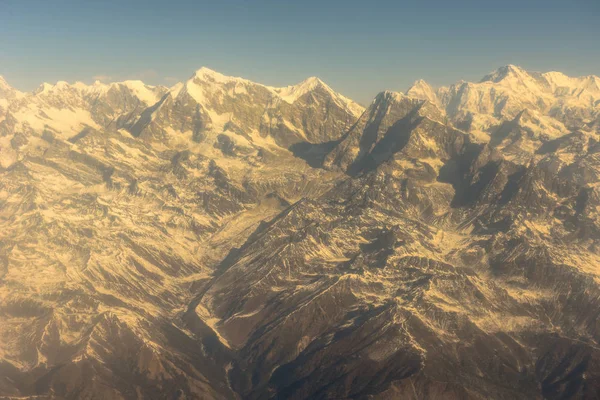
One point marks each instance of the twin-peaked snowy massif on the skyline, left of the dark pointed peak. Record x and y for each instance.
(247, 112)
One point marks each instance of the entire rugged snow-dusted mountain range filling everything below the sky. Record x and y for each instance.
(224, 239)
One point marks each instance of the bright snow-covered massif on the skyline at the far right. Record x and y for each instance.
(556, 104)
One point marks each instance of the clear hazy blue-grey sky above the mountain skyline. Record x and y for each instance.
(358, 47)
